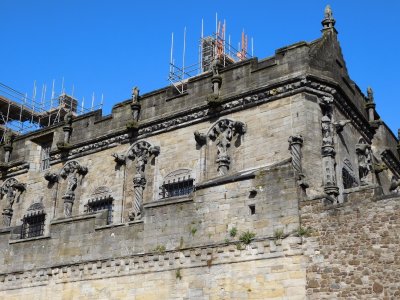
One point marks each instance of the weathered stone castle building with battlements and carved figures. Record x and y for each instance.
(265, 179)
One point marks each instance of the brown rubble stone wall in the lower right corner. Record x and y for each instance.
(352, 252)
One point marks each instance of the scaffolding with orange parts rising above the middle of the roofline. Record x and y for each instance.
(211, 47)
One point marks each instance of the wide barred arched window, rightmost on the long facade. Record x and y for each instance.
(177, 183)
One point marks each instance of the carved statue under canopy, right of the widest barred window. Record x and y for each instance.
(222, 133)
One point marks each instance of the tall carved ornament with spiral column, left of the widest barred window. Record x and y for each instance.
(140, 152)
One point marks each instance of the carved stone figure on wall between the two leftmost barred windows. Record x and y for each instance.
(70, 172)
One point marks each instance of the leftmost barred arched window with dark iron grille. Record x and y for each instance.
(33, 221)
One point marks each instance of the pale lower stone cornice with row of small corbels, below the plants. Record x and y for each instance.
(201, 256)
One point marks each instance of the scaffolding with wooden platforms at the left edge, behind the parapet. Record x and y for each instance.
(21, 114)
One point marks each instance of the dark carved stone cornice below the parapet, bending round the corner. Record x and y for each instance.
(289, 87)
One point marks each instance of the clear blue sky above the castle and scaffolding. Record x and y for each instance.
(109, 46)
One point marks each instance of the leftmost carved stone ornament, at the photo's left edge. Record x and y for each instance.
(10, 191)
